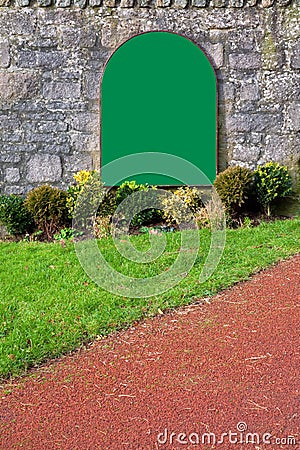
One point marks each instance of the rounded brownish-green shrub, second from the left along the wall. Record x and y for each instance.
(48, 207)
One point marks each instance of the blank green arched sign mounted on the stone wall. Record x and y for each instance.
(158, 94)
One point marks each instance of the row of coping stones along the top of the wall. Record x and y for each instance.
(178, 4)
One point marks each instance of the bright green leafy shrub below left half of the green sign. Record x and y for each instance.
(146, 216)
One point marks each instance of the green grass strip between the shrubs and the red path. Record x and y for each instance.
(49, 306)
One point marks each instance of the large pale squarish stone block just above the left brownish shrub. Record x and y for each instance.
(44, 167)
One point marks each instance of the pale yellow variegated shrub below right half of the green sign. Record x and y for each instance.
(174, 212)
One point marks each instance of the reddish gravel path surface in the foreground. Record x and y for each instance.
(209, 368)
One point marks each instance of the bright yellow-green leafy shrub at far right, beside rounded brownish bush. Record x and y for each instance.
(271, 182)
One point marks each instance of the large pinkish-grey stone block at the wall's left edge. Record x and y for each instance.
(18, 85)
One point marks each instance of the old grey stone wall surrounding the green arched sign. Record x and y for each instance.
(52, 56)
